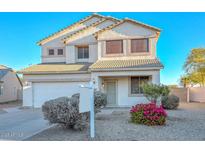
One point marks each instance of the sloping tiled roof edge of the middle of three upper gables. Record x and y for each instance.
(88, 27)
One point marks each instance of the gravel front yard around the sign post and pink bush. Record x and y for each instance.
(186, 123)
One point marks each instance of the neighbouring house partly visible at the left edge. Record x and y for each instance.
(10, 85)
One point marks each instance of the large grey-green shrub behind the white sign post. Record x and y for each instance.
(65, 111)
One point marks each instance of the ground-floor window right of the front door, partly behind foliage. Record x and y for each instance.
(137, 82)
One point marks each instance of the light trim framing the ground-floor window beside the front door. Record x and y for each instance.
(129, 86)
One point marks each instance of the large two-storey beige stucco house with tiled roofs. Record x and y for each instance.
(119, 55)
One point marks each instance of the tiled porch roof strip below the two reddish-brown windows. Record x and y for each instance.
(126, 64)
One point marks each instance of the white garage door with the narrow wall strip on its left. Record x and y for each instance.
(40, 92)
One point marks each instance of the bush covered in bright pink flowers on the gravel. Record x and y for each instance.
(148, 114)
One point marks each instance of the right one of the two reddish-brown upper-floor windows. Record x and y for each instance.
(139, 45)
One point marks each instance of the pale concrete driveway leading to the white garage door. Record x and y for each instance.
(19, 124)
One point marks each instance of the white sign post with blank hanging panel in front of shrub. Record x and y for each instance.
(87, 104)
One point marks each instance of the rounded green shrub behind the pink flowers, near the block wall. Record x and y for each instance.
(170, 102)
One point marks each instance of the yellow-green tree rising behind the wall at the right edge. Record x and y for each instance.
(195, 67)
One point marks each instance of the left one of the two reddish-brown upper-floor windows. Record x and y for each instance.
(114, 47)
